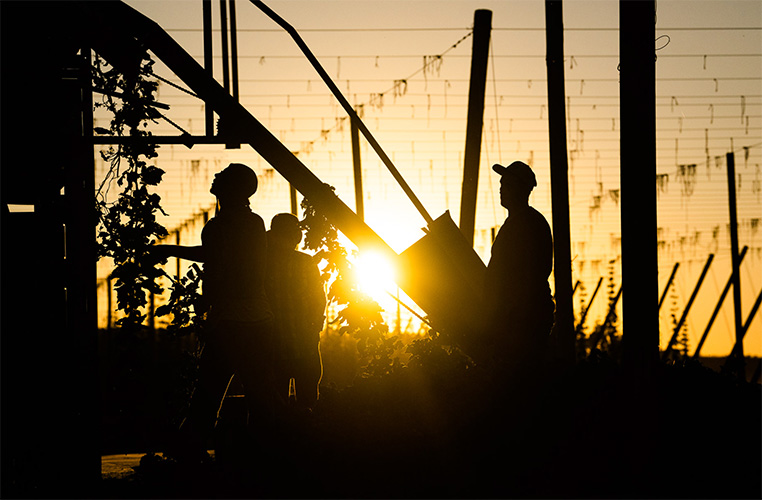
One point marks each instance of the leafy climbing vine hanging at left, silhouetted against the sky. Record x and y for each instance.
(128, 226)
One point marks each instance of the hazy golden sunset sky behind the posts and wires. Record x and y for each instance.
(709, 100)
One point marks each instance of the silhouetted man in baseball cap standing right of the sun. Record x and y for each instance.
(519, 305)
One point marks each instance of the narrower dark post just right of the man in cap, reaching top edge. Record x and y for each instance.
(563, 330)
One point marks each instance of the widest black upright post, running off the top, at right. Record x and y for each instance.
(640, 263)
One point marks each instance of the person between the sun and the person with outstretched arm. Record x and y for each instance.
(296, 294)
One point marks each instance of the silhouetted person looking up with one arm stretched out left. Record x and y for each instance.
(238, 336)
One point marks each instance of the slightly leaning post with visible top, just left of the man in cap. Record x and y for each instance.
(475, 122)
